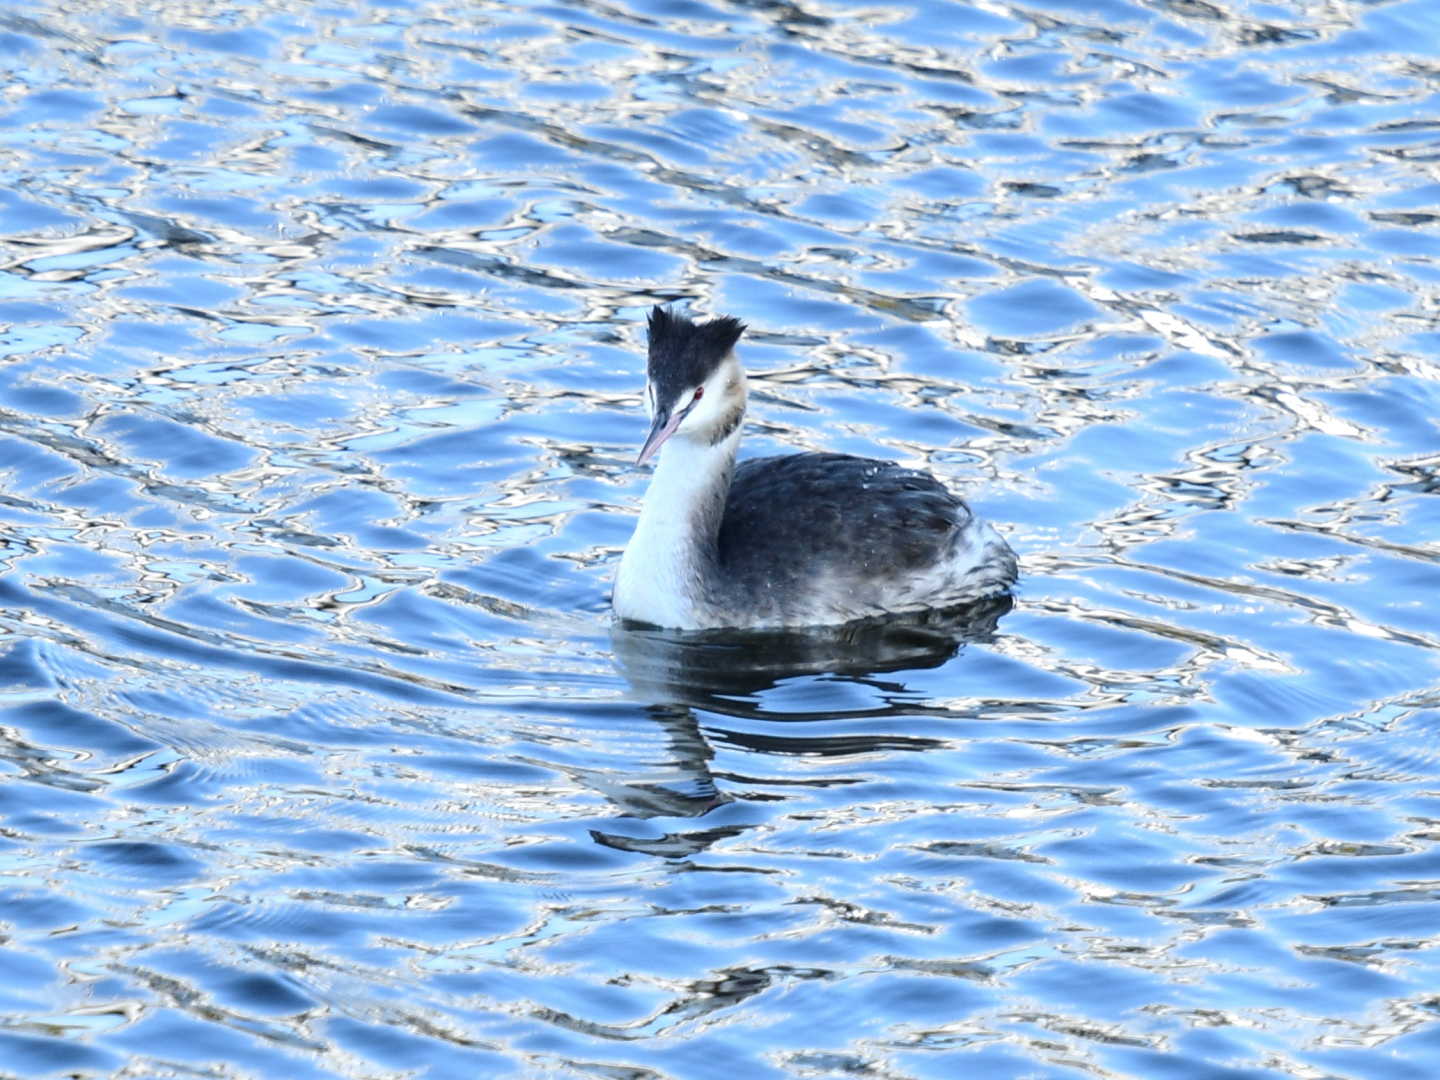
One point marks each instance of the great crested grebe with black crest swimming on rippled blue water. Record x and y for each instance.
(786, 542)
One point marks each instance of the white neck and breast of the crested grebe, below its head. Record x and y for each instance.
(673, 554)
